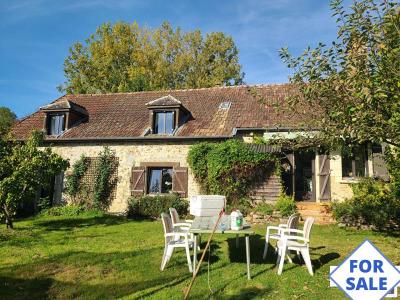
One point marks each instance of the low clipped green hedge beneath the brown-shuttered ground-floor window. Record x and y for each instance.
(153, 206)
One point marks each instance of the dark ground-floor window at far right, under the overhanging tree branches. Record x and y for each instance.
(354, 162)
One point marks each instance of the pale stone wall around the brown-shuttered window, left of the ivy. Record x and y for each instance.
(131, 155)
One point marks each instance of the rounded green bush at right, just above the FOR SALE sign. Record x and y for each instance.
(373, 204)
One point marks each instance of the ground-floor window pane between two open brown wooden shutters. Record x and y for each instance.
(159, 180)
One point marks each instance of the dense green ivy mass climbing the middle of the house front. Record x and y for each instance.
(230, 168)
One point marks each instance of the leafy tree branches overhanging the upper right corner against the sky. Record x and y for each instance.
(354, 84)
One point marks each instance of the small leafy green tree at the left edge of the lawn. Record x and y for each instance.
(24, 168)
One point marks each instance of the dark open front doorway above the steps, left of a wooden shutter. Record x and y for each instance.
(304, 175)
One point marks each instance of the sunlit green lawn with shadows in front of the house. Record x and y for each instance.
(95, 256)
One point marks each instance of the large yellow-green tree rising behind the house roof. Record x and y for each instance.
(126, 58)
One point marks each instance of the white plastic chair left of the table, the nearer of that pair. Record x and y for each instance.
(174, 239)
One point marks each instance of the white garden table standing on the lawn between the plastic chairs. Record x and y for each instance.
(206, 224)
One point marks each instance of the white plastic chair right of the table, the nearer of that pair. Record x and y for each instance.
(296, 240)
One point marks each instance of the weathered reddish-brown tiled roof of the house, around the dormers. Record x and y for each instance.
(125, 115)
